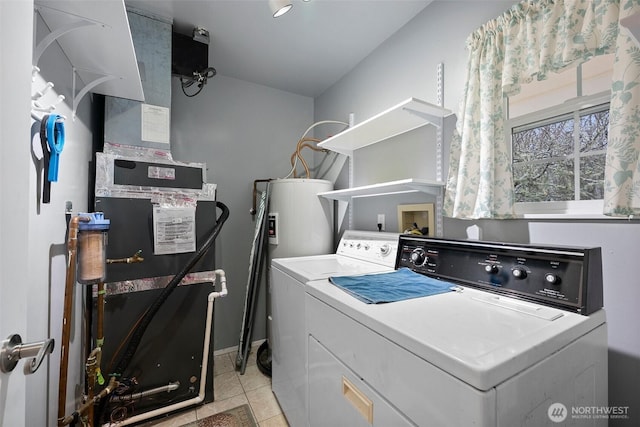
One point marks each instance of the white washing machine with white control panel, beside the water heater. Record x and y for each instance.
(359, 252)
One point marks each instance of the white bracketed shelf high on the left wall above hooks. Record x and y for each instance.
(96, 38)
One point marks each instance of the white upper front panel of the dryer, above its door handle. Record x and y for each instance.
(420, 391)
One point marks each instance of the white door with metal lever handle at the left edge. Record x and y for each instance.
(16, 23)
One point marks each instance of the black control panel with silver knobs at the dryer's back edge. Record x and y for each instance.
(565, 277)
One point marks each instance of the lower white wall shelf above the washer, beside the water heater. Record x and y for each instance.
(433, 188)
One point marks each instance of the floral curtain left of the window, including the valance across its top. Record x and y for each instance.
(527, 42)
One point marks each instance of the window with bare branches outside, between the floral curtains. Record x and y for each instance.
(559, 140)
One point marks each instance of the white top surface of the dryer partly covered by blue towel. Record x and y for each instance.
(478, 337)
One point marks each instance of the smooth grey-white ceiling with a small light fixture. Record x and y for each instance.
(304, 51)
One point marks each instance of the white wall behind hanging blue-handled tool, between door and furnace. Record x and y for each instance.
(47, 234)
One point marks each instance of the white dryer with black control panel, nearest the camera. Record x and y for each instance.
(520, 341)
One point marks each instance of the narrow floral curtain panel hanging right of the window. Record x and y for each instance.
(622, 171)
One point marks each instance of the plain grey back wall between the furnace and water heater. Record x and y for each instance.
(243, 132)
